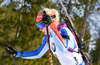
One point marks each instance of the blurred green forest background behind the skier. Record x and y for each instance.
(18, 29)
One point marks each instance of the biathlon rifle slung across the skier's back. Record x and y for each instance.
(80, 43)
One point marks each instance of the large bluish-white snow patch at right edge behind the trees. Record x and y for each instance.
(94, 20)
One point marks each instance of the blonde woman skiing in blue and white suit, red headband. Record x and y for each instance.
(63, 46)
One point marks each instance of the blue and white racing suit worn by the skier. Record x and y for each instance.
(60, 51)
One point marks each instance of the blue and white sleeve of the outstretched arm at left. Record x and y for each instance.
(35, 53)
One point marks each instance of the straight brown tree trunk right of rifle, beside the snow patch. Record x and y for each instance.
(85, 19)
